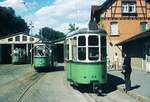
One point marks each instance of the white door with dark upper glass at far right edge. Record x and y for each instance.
(147, 50)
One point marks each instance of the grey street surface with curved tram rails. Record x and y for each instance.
(50, 87)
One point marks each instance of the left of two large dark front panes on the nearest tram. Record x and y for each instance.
(81, 48)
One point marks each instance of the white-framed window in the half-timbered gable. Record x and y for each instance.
(129, 7)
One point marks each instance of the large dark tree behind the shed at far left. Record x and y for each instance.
(10, 23)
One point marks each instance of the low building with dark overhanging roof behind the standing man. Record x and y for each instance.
(138, 48)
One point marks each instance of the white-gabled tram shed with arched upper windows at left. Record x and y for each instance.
(17, 40)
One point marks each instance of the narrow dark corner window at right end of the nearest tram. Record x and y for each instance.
(103, 47)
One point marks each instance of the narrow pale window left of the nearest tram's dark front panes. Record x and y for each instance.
(74, 48)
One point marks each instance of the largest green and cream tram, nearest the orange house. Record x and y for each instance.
(85, 57)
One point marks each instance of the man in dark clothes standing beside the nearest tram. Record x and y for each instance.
(127, 72)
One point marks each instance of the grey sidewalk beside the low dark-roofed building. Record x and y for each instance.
(140, 83)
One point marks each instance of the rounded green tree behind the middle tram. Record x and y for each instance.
(47, 33)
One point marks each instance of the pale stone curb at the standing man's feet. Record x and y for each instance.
(134, 95)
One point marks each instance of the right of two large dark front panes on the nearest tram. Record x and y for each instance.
(93, 48)
